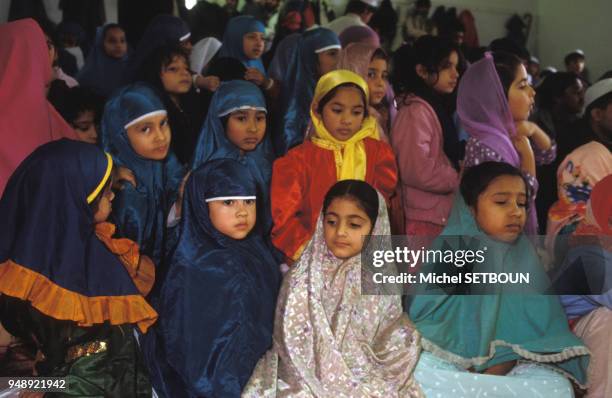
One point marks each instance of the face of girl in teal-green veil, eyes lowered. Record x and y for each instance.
(501, 208)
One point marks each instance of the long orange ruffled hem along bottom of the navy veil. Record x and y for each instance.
(63, 304)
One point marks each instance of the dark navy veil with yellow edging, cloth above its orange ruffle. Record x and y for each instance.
(48, 226)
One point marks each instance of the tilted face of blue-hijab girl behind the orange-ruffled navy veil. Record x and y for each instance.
(150, 138)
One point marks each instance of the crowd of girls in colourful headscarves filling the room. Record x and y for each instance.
(189, 221)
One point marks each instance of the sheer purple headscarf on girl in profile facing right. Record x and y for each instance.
(484, 111)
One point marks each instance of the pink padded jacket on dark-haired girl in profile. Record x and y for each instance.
(427, 178)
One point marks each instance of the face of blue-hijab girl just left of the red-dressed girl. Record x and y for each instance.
(246, 128)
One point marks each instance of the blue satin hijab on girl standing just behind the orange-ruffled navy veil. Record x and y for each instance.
(140, 212)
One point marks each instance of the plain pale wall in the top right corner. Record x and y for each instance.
(568, 24)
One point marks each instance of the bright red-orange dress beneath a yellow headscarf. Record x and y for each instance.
(302, 177)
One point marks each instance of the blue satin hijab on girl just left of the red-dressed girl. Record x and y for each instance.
(213, 142)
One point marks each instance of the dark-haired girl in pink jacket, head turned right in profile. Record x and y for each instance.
(424, 136)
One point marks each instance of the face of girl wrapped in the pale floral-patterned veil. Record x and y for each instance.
(344, 226)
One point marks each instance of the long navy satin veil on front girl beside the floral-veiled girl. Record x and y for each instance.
(218, 300)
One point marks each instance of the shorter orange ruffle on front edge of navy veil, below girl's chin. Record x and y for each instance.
(140, 268)
